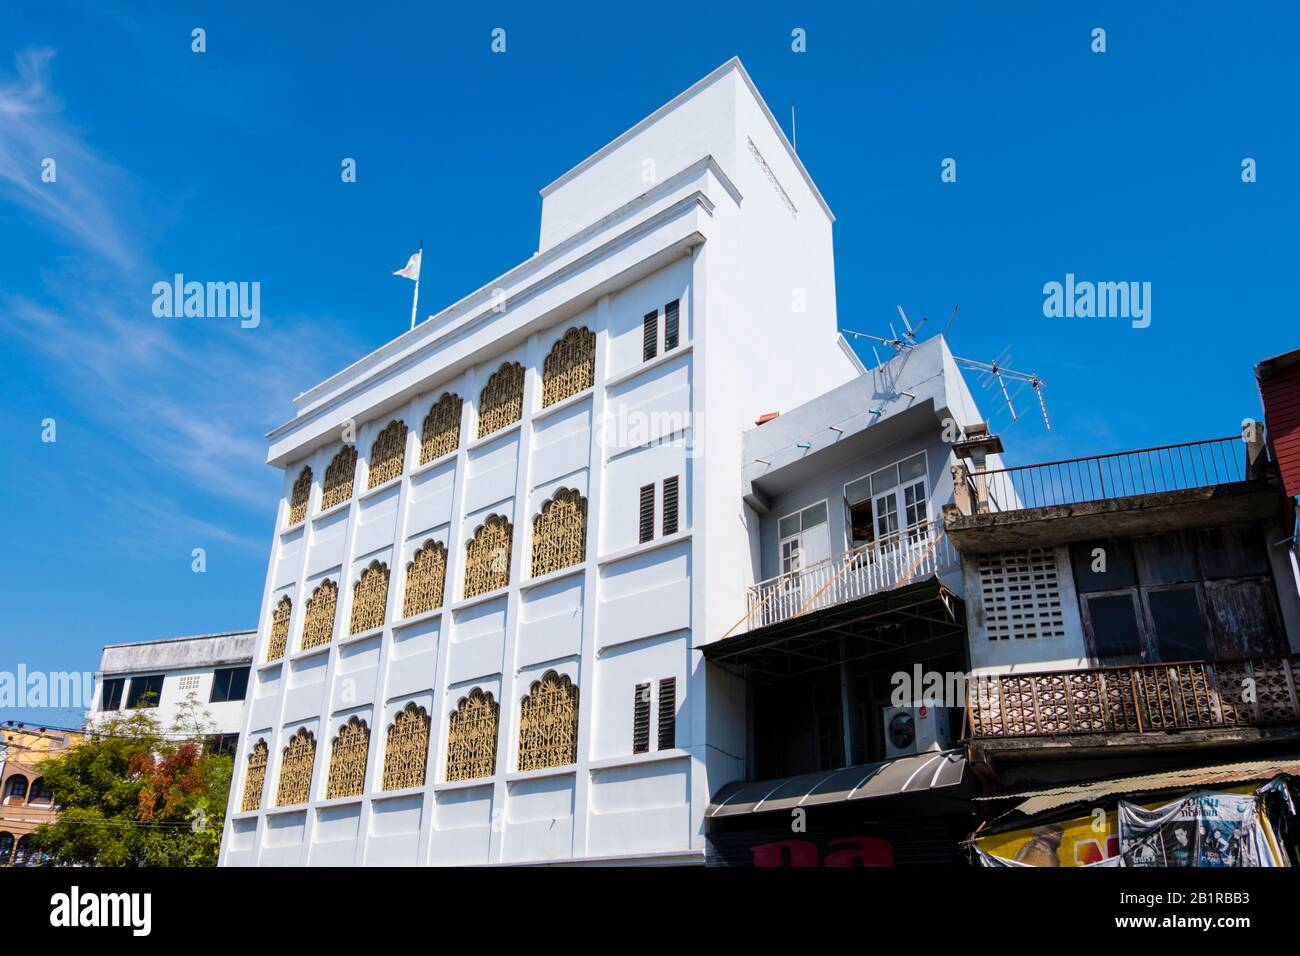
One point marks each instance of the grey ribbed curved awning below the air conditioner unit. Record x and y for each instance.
(922, 773)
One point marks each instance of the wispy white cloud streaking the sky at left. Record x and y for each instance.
(194, 396)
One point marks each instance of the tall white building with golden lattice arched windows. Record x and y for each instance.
(480, 629)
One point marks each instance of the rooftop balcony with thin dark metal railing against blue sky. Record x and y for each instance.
(1216, 482)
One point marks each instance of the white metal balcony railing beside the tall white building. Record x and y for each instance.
(869, 569)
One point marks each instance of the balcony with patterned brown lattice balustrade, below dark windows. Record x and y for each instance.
(1151, 703)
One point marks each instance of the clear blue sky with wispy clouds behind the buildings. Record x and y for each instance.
(226, 166)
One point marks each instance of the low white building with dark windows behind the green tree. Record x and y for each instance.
(162, 676)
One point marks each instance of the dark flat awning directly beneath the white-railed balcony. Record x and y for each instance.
(889, 622)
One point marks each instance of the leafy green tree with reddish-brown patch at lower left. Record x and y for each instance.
(133, 794)
